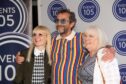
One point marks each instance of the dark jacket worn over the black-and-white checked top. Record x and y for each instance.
(24, 70)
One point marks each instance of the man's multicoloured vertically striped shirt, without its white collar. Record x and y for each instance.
(66, 56)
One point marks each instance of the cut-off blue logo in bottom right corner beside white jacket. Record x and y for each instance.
(123, 73)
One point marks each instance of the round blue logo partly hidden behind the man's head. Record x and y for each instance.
(54, 7)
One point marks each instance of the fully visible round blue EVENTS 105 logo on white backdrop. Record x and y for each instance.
(88, 10)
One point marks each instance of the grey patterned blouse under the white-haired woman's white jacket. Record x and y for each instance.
(86, 71)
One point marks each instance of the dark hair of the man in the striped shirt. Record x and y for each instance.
(72, 17)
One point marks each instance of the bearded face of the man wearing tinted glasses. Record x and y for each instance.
(63, 24)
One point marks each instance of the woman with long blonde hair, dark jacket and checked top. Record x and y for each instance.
(36, 69)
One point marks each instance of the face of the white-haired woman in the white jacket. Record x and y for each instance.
(91, 40)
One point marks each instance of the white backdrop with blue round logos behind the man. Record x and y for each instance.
(110, 15)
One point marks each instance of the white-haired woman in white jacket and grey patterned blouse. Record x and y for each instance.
(94, 70)
